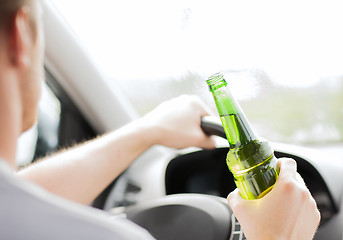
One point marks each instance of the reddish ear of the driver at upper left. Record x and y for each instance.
(20, 39)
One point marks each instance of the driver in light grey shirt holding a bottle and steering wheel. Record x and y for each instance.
(27, 211)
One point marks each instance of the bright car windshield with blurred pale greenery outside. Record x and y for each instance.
(282, 60)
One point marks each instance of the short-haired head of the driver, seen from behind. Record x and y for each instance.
(21, 54)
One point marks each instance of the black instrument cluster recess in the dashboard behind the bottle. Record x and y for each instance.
(206, 172)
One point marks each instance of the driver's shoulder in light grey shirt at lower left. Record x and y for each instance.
(29, 212)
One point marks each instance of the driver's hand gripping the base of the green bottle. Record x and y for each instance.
(288, 211)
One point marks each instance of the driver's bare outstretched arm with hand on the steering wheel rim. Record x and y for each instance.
(81, 173)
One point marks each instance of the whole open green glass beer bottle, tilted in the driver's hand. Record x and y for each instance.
(251, 160)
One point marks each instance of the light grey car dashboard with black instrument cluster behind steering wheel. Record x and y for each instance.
(199, 171)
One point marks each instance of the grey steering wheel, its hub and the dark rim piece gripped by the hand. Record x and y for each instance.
(188, 216)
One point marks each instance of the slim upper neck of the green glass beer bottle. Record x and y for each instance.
(236, 125)
